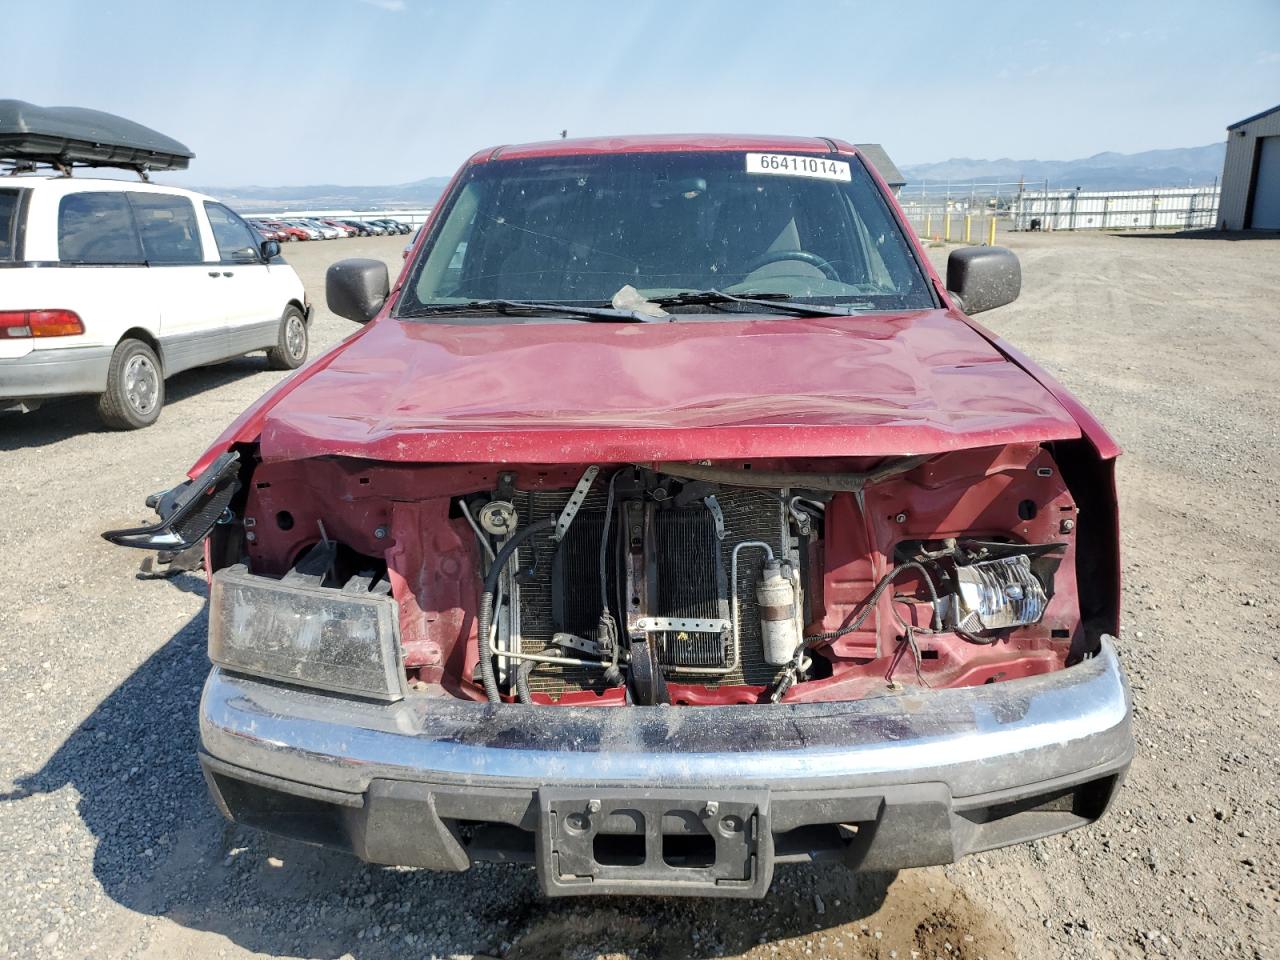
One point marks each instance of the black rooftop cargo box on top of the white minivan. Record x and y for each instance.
(72, 136)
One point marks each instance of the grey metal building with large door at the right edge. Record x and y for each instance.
(1251, 176)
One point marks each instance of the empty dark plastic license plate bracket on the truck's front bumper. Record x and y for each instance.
(655, 842)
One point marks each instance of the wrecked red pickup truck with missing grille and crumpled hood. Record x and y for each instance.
(668, 522)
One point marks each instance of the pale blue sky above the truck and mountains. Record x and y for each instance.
(387, 92)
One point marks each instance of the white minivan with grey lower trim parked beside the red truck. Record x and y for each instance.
(108, 287)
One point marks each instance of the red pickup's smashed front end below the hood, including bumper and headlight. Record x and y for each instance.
(899, 660)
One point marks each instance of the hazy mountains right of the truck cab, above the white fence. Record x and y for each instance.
(1151, 168)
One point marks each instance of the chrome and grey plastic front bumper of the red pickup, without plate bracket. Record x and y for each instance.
(902, 780)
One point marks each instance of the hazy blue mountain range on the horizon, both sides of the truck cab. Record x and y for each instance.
(1153, 168)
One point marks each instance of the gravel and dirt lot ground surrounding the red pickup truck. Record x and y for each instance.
(111, 849)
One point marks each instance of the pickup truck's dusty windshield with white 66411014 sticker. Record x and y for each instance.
(579, 228)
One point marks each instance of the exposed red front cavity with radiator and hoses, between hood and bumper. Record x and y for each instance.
(692, 583)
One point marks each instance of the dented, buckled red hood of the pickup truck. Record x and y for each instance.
(885, 385)
